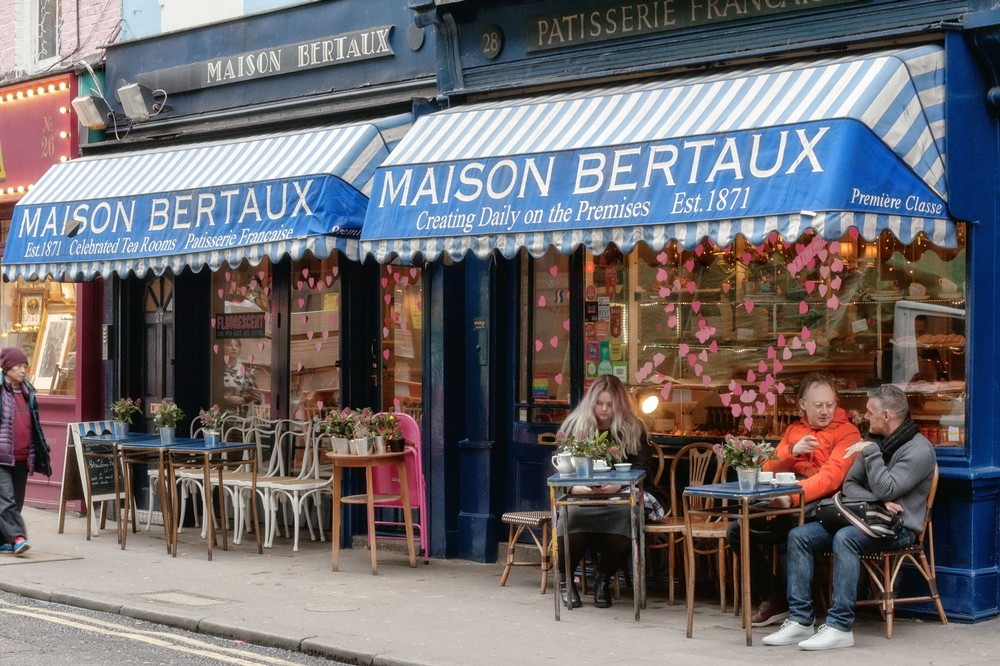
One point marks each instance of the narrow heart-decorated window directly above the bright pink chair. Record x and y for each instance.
(402, 339)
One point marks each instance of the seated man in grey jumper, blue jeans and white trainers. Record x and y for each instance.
(895, 466)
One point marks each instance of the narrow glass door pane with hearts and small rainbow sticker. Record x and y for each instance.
(544, 375)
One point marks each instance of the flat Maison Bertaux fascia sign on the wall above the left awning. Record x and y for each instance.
(274, 61)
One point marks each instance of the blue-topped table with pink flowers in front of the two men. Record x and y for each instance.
(726, 493)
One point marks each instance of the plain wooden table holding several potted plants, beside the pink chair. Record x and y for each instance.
(370, 499)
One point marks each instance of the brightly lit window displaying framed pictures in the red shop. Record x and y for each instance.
(40, 318)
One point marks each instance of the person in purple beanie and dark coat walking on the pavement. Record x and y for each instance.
(23, 449)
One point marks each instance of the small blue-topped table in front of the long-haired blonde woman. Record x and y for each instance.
(630, 494)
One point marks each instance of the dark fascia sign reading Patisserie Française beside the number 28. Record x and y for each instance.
(596, 22)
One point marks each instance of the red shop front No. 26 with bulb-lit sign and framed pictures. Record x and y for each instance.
(54, 322)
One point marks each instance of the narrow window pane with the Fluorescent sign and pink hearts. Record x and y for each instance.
(241, 346)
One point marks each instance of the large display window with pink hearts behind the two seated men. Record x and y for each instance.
(724, 335)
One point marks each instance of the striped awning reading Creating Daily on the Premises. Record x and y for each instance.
(829, 145)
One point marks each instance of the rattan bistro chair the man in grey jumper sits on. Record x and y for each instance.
(883, 569)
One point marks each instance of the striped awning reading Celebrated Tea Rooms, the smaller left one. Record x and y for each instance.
(201, 205)
